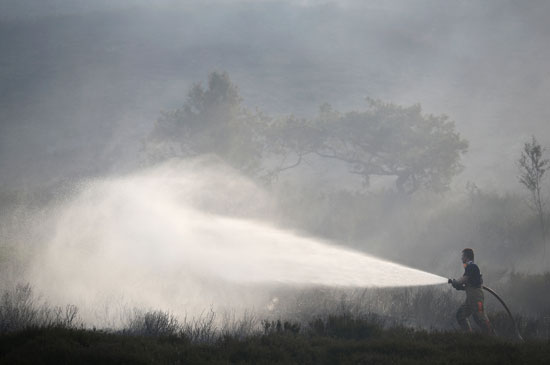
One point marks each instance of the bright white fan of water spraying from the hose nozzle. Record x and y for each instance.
(186, 236)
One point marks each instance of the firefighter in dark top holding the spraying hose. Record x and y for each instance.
(471, 282)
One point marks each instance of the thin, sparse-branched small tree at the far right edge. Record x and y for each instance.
(532, 167)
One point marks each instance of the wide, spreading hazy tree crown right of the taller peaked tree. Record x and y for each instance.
(385, 140)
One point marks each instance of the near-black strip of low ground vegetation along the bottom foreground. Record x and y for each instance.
(337, 341)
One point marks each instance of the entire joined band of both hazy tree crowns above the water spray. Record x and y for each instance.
(417, 150)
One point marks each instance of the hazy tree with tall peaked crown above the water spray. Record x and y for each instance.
(211, 121)
